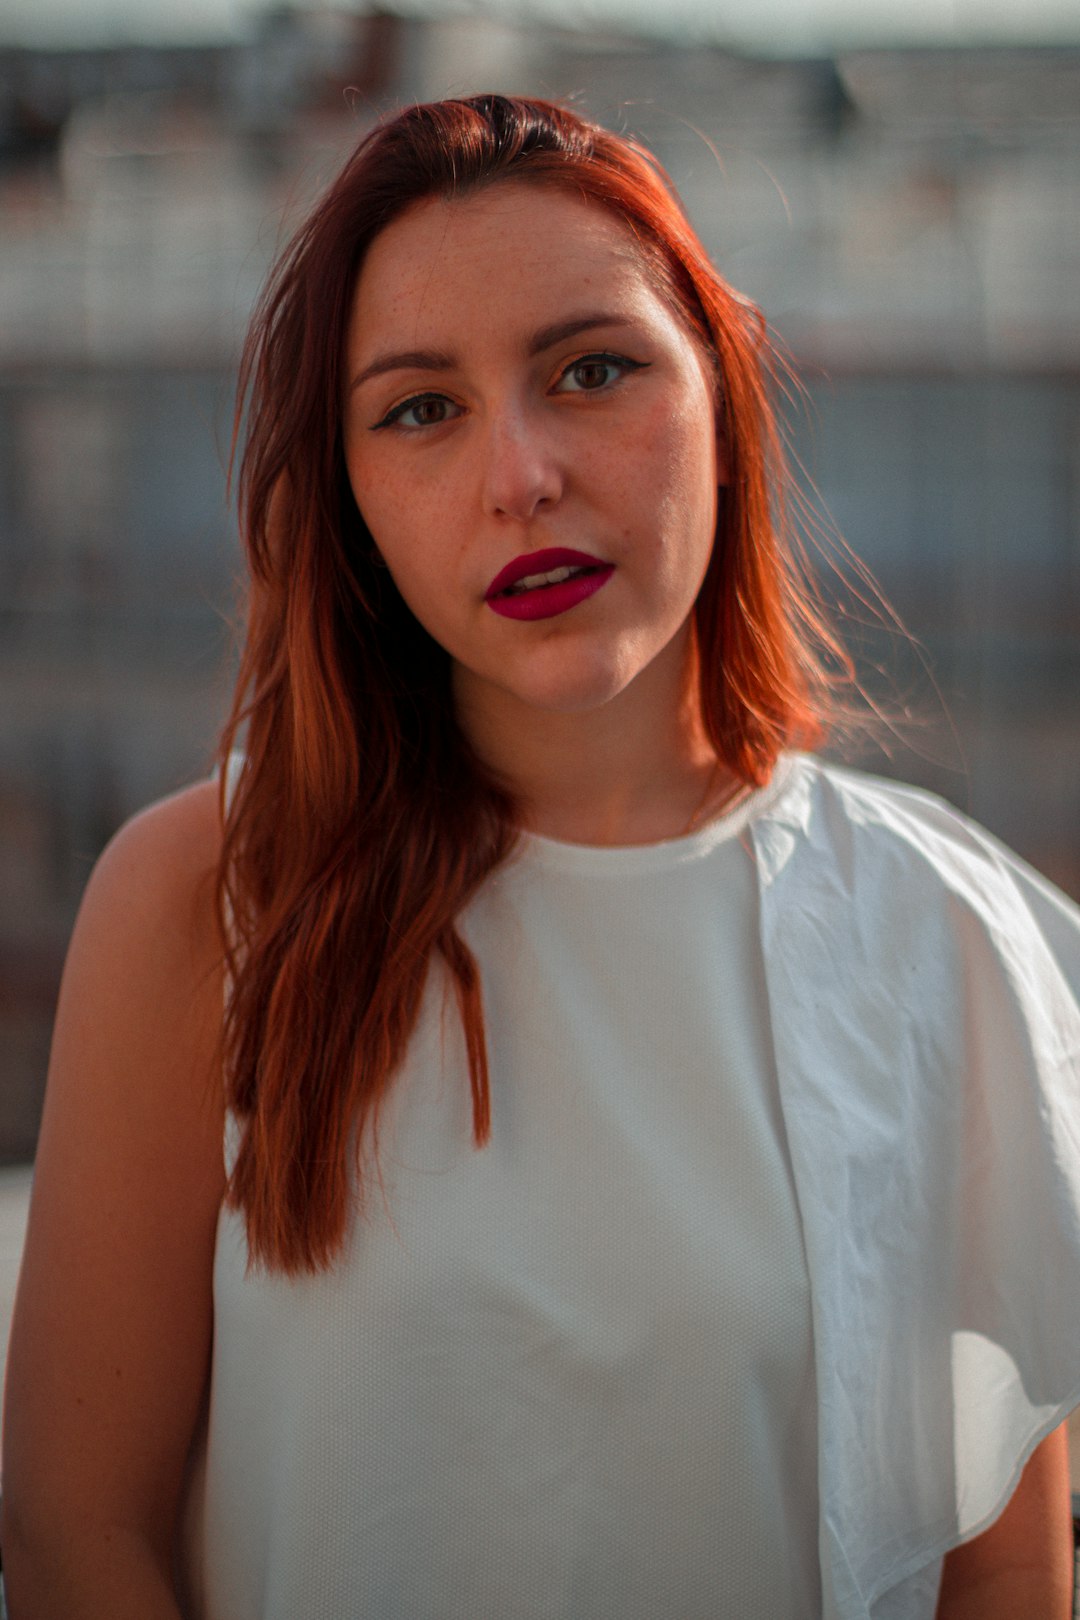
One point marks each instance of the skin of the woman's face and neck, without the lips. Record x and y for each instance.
(603, 441)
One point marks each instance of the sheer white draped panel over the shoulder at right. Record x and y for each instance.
(924, 992)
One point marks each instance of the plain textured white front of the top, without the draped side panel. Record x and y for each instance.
(568, 1376)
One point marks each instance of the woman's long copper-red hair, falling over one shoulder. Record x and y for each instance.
(362, 822)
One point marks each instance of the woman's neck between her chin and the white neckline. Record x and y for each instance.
(634, 772)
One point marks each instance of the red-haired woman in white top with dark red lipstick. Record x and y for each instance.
(652, 1167)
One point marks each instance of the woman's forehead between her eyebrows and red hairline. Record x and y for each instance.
(509, 252)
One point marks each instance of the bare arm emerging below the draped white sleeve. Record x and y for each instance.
(1023, 1566)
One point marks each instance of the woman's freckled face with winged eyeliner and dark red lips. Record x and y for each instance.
(532, 440)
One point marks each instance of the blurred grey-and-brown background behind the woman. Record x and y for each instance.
(901, 192)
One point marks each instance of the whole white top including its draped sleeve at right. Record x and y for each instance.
(765, 1289)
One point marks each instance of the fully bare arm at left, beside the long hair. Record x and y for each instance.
(113, 1326)
